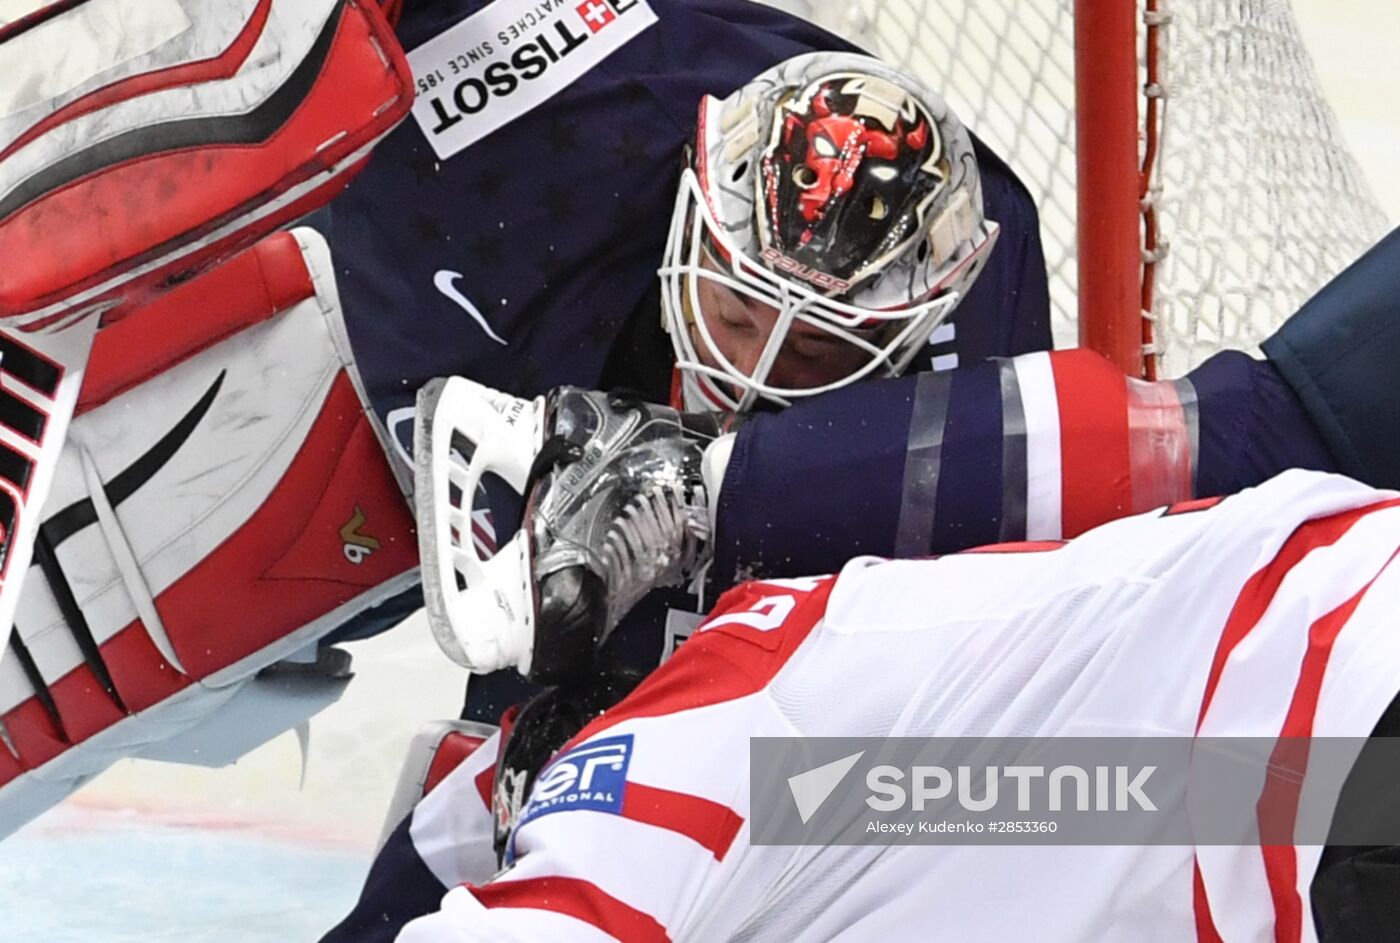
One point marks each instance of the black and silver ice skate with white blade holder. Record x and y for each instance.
(618, 506)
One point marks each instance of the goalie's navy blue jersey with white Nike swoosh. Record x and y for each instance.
(527, 260)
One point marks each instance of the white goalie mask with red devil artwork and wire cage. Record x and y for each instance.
(842, 198)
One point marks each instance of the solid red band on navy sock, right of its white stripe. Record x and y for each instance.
(1095, 472)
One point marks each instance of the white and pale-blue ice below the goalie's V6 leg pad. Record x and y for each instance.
(246, 854)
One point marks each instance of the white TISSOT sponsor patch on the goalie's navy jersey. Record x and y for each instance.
(512, 57)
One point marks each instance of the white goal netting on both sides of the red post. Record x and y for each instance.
(1259, 199)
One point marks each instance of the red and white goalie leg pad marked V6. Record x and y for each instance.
(223, 503)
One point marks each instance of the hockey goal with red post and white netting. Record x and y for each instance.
(1192, 180)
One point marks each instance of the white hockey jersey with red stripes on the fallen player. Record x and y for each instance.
(1269, 614)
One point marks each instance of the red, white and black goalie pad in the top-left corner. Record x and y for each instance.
(143, 141)
